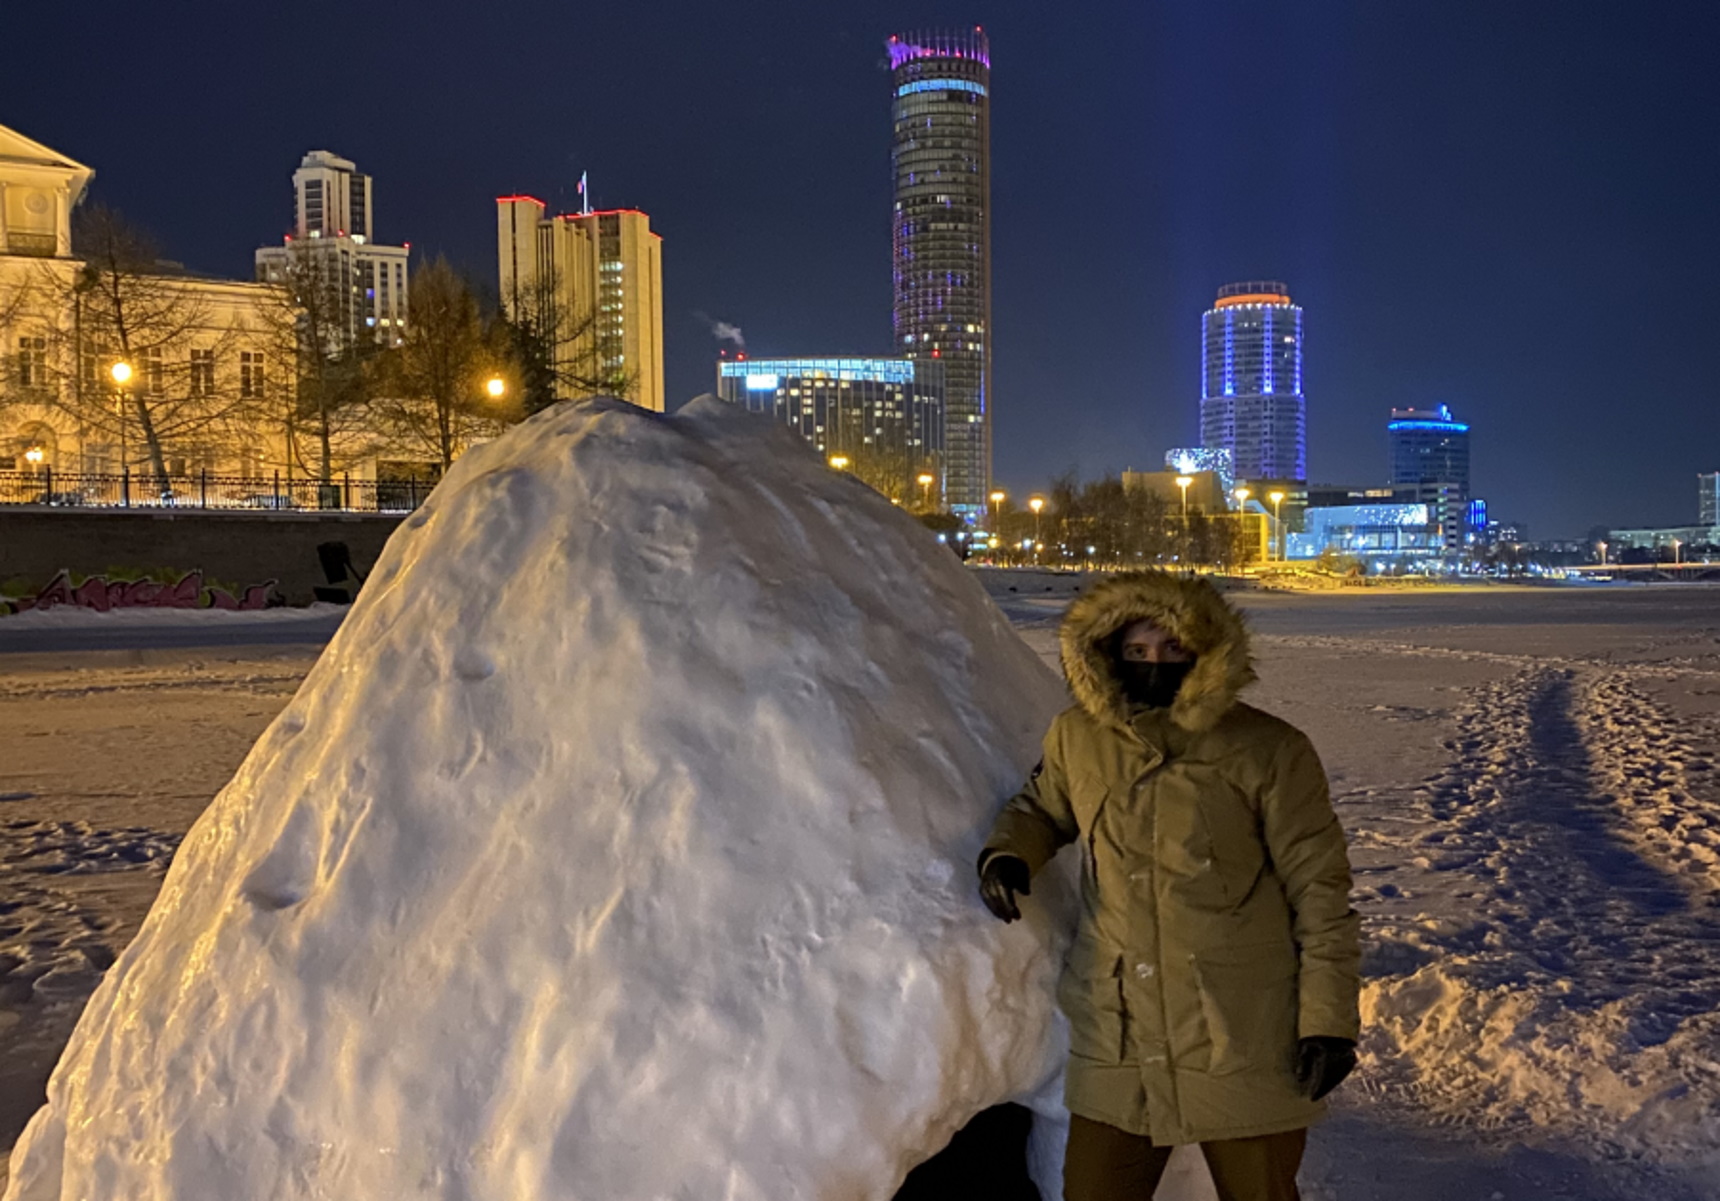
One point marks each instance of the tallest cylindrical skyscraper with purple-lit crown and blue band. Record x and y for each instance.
(942, 238)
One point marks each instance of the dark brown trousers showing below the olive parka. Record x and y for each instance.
(1105, 1164)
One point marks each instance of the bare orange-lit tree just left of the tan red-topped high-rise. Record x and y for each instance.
(434, 381)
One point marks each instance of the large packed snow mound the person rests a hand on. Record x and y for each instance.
(620, 847)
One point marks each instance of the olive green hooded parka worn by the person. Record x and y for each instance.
(1215, 923)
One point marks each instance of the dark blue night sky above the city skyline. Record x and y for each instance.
(1513, 209)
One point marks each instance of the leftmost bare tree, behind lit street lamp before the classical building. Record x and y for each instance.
(126, 305)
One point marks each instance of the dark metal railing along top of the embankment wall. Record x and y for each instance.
(209, 491)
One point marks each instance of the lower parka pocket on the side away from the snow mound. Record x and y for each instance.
(1250, 1006)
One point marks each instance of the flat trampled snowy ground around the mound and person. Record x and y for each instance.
(1532, 780)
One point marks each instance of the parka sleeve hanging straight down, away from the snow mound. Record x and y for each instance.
(1310, 856)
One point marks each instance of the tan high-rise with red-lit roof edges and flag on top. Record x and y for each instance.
(596, 278)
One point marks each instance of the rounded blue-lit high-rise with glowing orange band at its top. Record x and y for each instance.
(1251, 381)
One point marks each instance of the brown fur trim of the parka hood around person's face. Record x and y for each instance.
(1193, 612)
